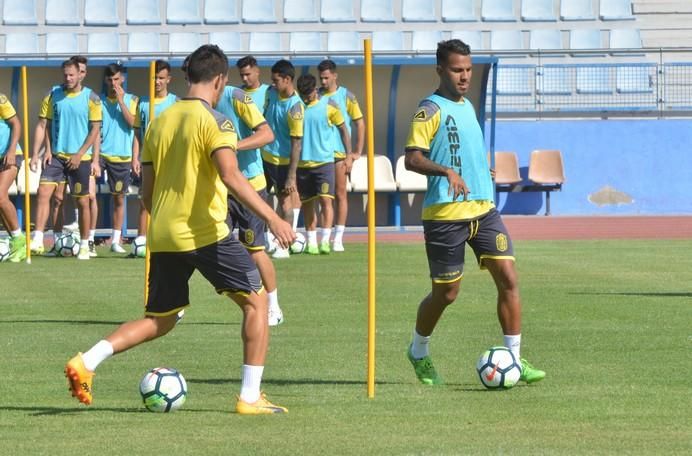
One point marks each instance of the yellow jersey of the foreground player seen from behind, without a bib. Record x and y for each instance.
(189, 203)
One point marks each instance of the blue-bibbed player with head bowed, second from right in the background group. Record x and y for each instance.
(316, 165)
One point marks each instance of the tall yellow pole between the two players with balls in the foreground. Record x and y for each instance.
(369, 118)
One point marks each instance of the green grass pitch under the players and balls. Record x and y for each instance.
(610, 322)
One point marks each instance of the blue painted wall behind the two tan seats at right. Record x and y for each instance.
(649, 160)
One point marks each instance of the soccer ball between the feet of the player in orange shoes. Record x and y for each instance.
(163, 390)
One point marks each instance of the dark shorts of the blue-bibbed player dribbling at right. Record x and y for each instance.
(445, 244)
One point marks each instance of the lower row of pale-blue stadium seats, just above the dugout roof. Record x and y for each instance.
(100, 42)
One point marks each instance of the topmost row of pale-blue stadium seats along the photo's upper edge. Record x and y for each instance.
(149, 12)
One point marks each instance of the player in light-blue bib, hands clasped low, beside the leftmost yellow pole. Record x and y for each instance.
(73, 115)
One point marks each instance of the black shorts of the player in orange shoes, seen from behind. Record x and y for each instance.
(225, 264)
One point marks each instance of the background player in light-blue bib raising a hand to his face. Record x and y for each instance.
(118, 149)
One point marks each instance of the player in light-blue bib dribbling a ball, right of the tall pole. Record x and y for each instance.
(445, 142)
